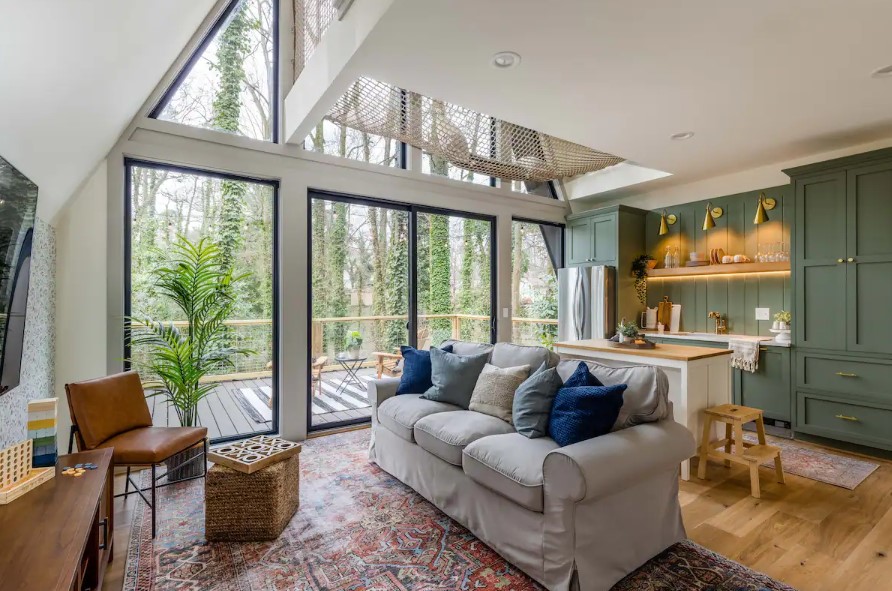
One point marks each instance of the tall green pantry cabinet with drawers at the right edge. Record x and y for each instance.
(842, 274)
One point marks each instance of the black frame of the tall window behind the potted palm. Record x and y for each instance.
(129, 163)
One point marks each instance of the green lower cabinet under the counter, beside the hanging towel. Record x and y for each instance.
(768, 388)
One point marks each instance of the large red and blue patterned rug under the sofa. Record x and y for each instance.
(360, 529)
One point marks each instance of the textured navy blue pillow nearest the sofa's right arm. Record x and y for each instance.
(584, 412)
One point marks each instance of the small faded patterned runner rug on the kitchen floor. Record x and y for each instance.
(808, 462)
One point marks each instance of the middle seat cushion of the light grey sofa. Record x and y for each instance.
(446, 434)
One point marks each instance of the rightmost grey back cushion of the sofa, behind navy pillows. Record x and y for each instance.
(645, 401)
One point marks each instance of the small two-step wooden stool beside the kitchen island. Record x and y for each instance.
(735, 417)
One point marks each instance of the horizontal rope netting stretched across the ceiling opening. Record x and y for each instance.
(465, 138)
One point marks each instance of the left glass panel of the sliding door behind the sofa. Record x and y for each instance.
(359, 294)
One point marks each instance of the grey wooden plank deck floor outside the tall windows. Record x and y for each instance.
(243, 407)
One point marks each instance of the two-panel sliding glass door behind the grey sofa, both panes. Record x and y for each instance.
(385, 275)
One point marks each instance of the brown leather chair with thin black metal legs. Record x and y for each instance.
(112, 412)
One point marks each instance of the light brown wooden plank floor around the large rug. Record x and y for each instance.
(811, 535)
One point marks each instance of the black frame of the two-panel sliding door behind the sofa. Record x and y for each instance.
(412, 324)
